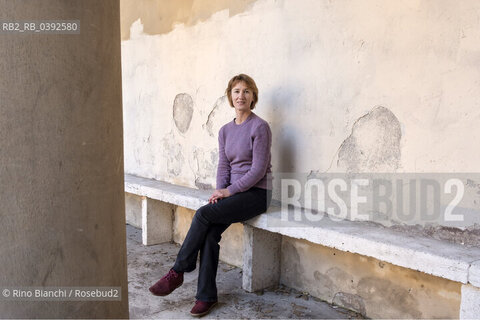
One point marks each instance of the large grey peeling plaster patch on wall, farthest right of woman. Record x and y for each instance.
(373, 145)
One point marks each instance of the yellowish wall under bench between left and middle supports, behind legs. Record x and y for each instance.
(232, 239)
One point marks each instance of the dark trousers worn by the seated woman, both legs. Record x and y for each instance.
(208, 224)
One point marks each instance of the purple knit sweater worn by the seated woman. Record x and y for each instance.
(244, 155)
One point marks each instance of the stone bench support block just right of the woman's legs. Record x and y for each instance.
(261, 259)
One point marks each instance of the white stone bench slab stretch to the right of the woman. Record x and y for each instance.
(435, 257)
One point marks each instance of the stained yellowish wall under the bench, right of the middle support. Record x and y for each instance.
(366, 285)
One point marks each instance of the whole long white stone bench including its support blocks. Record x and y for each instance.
(263, 234)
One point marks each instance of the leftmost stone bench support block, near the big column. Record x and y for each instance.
(157, 221)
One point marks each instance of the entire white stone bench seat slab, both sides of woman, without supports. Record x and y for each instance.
(435, 257)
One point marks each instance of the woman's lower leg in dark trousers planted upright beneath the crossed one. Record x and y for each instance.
(207, 273)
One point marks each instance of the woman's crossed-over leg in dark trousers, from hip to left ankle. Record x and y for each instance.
(239, 207)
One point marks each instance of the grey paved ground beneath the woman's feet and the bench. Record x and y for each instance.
(147, 264)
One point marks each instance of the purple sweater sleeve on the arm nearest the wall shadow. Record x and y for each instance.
(262, 142)
